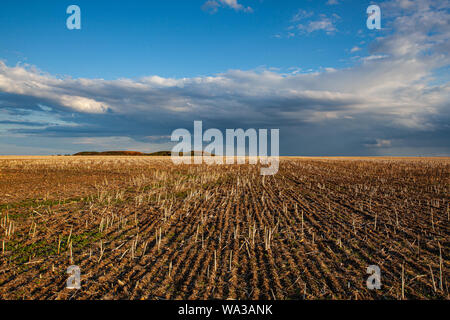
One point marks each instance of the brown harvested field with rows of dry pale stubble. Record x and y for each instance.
(144, 228)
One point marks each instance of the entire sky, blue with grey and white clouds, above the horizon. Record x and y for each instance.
(137, 70)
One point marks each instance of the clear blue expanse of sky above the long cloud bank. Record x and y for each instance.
(174, 38)
